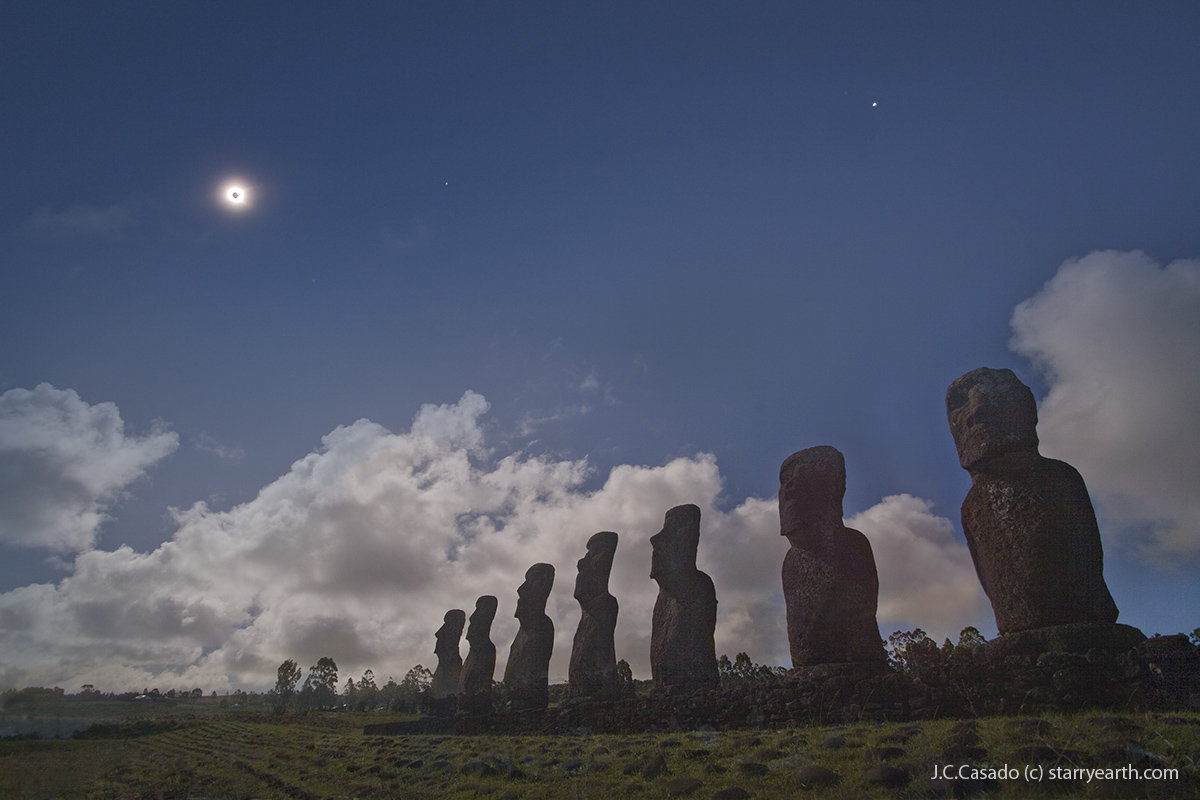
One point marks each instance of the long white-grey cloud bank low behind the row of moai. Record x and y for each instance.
(359, 550)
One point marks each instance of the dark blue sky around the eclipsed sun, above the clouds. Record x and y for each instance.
(640, 231)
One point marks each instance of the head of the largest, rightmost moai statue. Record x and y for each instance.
(992, 414)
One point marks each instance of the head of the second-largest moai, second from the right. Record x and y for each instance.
(812, 486)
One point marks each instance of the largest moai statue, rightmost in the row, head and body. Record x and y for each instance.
(1028, 520)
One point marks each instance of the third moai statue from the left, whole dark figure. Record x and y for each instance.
(527, 673)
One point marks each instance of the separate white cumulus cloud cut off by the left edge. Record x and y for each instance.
(63, 462)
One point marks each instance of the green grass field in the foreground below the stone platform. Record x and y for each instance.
(328, 756)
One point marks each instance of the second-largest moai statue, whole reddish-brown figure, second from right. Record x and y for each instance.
(831, 586)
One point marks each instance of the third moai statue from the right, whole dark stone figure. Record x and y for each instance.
(683, 653)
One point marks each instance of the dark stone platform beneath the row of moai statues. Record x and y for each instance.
(1061, 669)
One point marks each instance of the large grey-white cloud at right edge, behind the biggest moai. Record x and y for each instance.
(1118, 338)
